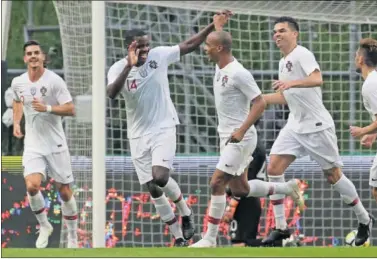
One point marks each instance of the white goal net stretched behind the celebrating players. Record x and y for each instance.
(332, 29)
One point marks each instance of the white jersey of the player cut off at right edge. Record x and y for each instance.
(369, 92)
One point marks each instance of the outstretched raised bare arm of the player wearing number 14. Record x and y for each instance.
(219, 20)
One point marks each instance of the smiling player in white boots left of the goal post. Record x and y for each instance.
(43, 97)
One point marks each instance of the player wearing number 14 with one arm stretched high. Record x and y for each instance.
(151, 118)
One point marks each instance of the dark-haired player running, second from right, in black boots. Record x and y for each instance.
(310, 128)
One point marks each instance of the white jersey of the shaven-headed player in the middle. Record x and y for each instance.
(234, 89)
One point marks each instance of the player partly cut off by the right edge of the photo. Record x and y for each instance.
(366, 63)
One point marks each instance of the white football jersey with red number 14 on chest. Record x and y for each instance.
(146, 92)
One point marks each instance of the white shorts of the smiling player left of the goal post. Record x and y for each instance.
(58, 165)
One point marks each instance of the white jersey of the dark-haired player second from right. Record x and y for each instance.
(307, 112)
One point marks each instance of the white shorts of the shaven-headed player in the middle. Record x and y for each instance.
(235, 157)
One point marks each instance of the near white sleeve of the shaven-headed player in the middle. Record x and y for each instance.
(244, 81)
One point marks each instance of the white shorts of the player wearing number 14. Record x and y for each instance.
(153, 149)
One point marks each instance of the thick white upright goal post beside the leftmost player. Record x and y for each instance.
(99, 122)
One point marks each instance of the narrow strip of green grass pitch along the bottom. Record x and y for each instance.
(227, 252)
